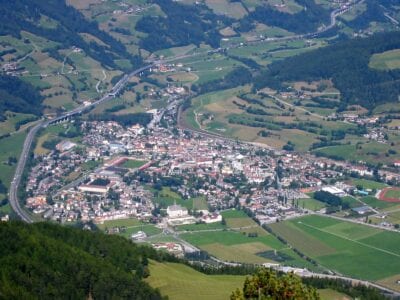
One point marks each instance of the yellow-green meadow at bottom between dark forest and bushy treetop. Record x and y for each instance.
(180, 282)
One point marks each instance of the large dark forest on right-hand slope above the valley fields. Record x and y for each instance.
(346, 64)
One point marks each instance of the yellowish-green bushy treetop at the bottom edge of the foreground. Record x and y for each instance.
(266, 284)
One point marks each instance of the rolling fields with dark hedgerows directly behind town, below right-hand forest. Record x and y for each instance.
(236, 113)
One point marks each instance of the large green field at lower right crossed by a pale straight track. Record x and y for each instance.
(351, 249)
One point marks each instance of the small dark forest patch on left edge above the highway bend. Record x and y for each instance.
(18, 96)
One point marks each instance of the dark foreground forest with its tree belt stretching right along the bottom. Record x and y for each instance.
(49, 261)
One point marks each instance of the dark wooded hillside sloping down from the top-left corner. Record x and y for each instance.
(63, 25)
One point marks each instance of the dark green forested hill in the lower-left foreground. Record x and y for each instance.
(45, 261)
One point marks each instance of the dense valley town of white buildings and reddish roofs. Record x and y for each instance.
(134, 167)
